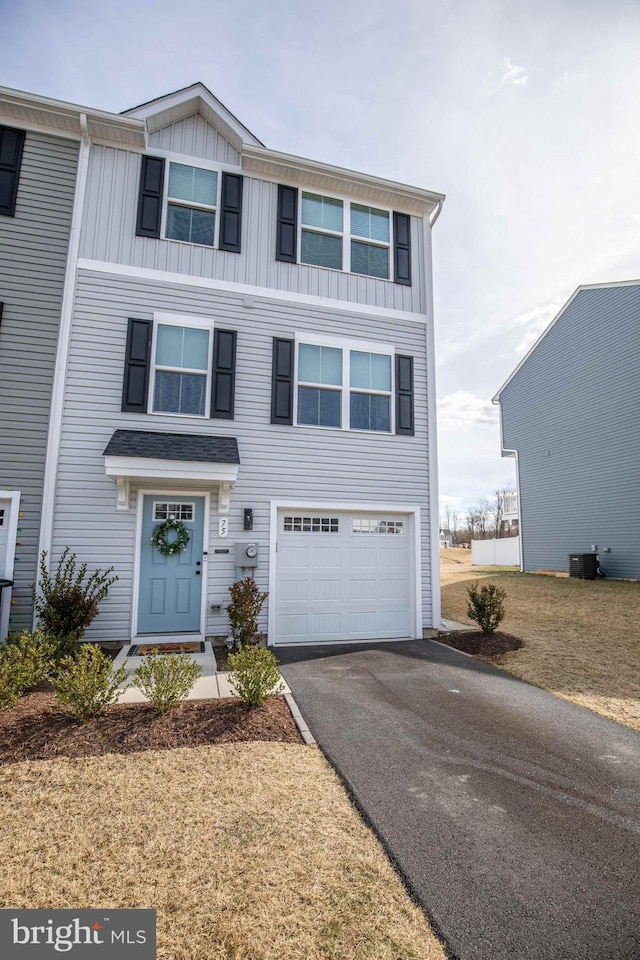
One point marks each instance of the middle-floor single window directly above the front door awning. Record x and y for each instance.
(181, 368)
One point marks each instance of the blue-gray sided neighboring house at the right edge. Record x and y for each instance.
(570, 414)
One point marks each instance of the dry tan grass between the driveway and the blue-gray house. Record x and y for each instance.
(581, 637)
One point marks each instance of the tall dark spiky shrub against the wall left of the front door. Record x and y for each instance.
(68, 602)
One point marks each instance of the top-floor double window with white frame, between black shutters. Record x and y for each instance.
(342, 235)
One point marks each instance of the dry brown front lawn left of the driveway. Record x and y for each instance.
(247, 851)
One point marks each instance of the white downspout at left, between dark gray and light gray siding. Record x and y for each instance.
(64, 339)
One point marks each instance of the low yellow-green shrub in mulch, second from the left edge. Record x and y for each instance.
(87, 683)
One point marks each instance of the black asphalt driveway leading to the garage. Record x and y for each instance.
(513, 815)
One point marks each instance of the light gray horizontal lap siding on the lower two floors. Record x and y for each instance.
(277, 462)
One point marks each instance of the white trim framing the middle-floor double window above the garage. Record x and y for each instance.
(346, 345)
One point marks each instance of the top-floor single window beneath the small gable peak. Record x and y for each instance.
(192, 201)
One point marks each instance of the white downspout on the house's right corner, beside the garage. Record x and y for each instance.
(432, 425)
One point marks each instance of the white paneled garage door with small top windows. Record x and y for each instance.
(343, 576)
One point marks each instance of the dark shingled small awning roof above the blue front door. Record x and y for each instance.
(172, 446)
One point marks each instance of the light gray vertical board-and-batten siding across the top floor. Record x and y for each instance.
(109, 235)
